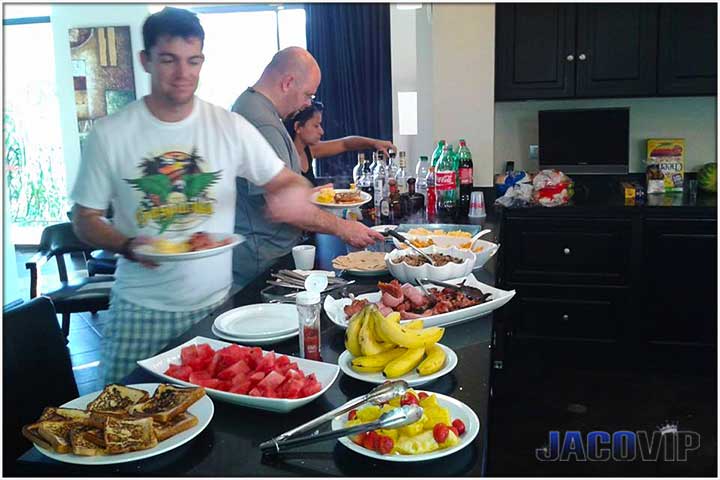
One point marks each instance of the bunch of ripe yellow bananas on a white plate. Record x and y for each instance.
(381, 344)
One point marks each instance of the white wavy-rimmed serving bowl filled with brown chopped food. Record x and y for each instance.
(407, 273)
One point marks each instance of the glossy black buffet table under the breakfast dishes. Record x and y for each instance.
(229, 445)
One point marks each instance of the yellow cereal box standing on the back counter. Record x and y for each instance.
(665, 165)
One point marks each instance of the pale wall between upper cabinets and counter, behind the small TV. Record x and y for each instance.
(691, 118)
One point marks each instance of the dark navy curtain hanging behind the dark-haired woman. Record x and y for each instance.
(351, 42)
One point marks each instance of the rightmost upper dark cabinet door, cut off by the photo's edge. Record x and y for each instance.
(687, 61)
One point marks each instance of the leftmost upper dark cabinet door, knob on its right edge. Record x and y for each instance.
(534, 49)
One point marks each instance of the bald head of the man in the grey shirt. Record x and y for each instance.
(290, 80)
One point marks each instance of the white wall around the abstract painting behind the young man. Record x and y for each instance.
(66, 16)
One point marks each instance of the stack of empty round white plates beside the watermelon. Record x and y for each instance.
(259, 324)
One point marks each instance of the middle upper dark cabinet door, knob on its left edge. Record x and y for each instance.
(616, 50)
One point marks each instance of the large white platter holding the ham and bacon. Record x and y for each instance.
(334, 307)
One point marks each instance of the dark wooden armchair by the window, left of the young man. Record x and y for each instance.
(88, 294)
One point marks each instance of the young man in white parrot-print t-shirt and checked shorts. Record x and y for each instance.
(168, 164)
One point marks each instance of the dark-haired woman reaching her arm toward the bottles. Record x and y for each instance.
(305, 128)
